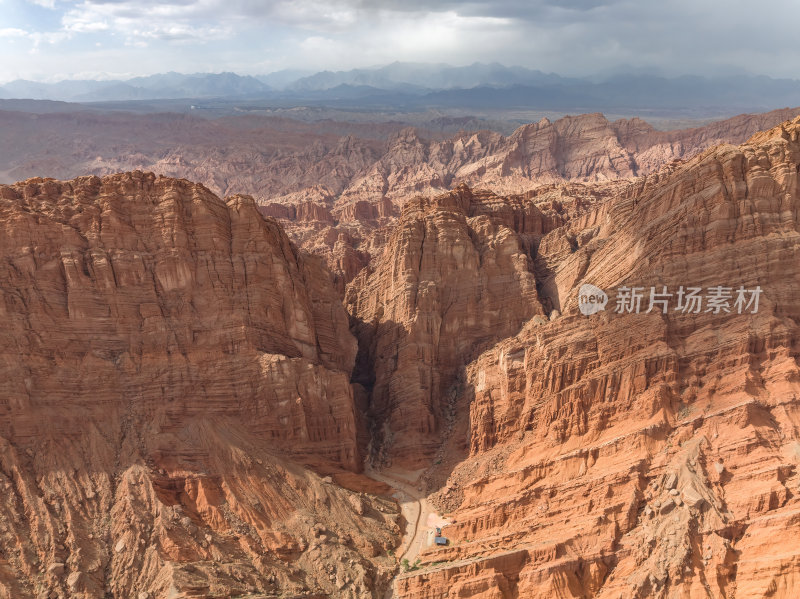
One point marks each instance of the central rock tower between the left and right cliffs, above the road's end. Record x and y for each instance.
(455, 277)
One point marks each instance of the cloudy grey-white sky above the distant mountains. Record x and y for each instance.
(56, 39)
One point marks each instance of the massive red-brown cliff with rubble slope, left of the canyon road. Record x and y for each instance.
(170, 364)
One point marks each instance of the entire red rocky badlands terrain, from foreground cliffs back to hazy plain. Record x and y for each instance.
(280, 393)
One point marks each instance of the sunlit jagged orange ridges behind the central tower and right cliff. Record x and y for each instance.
(348, 224)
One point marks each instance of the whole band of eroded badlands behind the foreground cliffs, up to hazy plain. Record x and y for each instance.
(340, 184)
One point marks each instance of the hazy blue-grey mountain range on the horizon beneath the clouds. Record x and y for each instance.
(416, 86)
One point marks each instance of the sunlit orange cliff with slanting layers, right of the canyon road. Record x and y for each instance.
(641, 455)
